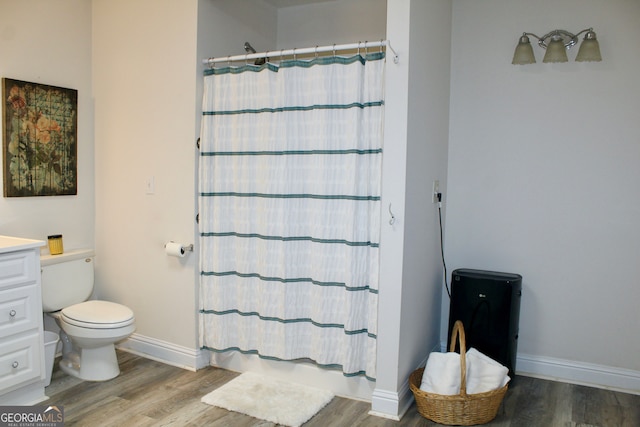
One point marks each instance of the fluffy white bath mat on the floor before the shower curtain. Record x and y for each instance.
(269, 399)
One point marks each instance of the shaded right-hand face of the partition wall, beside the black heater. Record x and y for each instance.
(427, 148)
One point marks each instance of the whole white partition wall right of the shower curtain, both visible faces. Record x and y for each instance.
(416, 138)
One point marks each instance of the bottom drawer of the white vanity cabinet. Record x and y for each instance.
(20, 360)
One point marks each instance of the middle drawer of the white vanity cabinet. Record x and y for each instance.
(19, 310)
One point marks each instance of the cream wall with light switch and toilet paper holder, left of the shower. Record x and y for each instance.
(144, 67)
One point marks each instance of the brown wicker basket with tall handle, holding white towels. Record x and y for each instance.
(462, 409)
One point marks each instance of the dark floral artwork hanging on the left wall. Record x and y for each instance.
(40, 139)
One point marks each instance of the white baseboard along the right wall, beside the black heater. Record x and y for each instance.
(574, 372)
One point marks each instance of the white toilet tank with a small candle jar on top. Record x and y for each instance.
(67, 279)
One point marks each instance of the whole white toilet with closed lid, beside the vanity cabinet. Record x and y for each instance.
(89, 329)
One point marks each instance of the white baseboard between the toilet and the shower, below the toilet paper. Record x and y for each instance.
(165, 352)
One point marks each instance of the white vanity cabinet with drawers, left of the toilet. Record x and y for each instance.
(22, 366)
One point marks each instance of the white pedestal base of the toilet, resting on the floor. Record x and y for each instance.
(92, 364)
